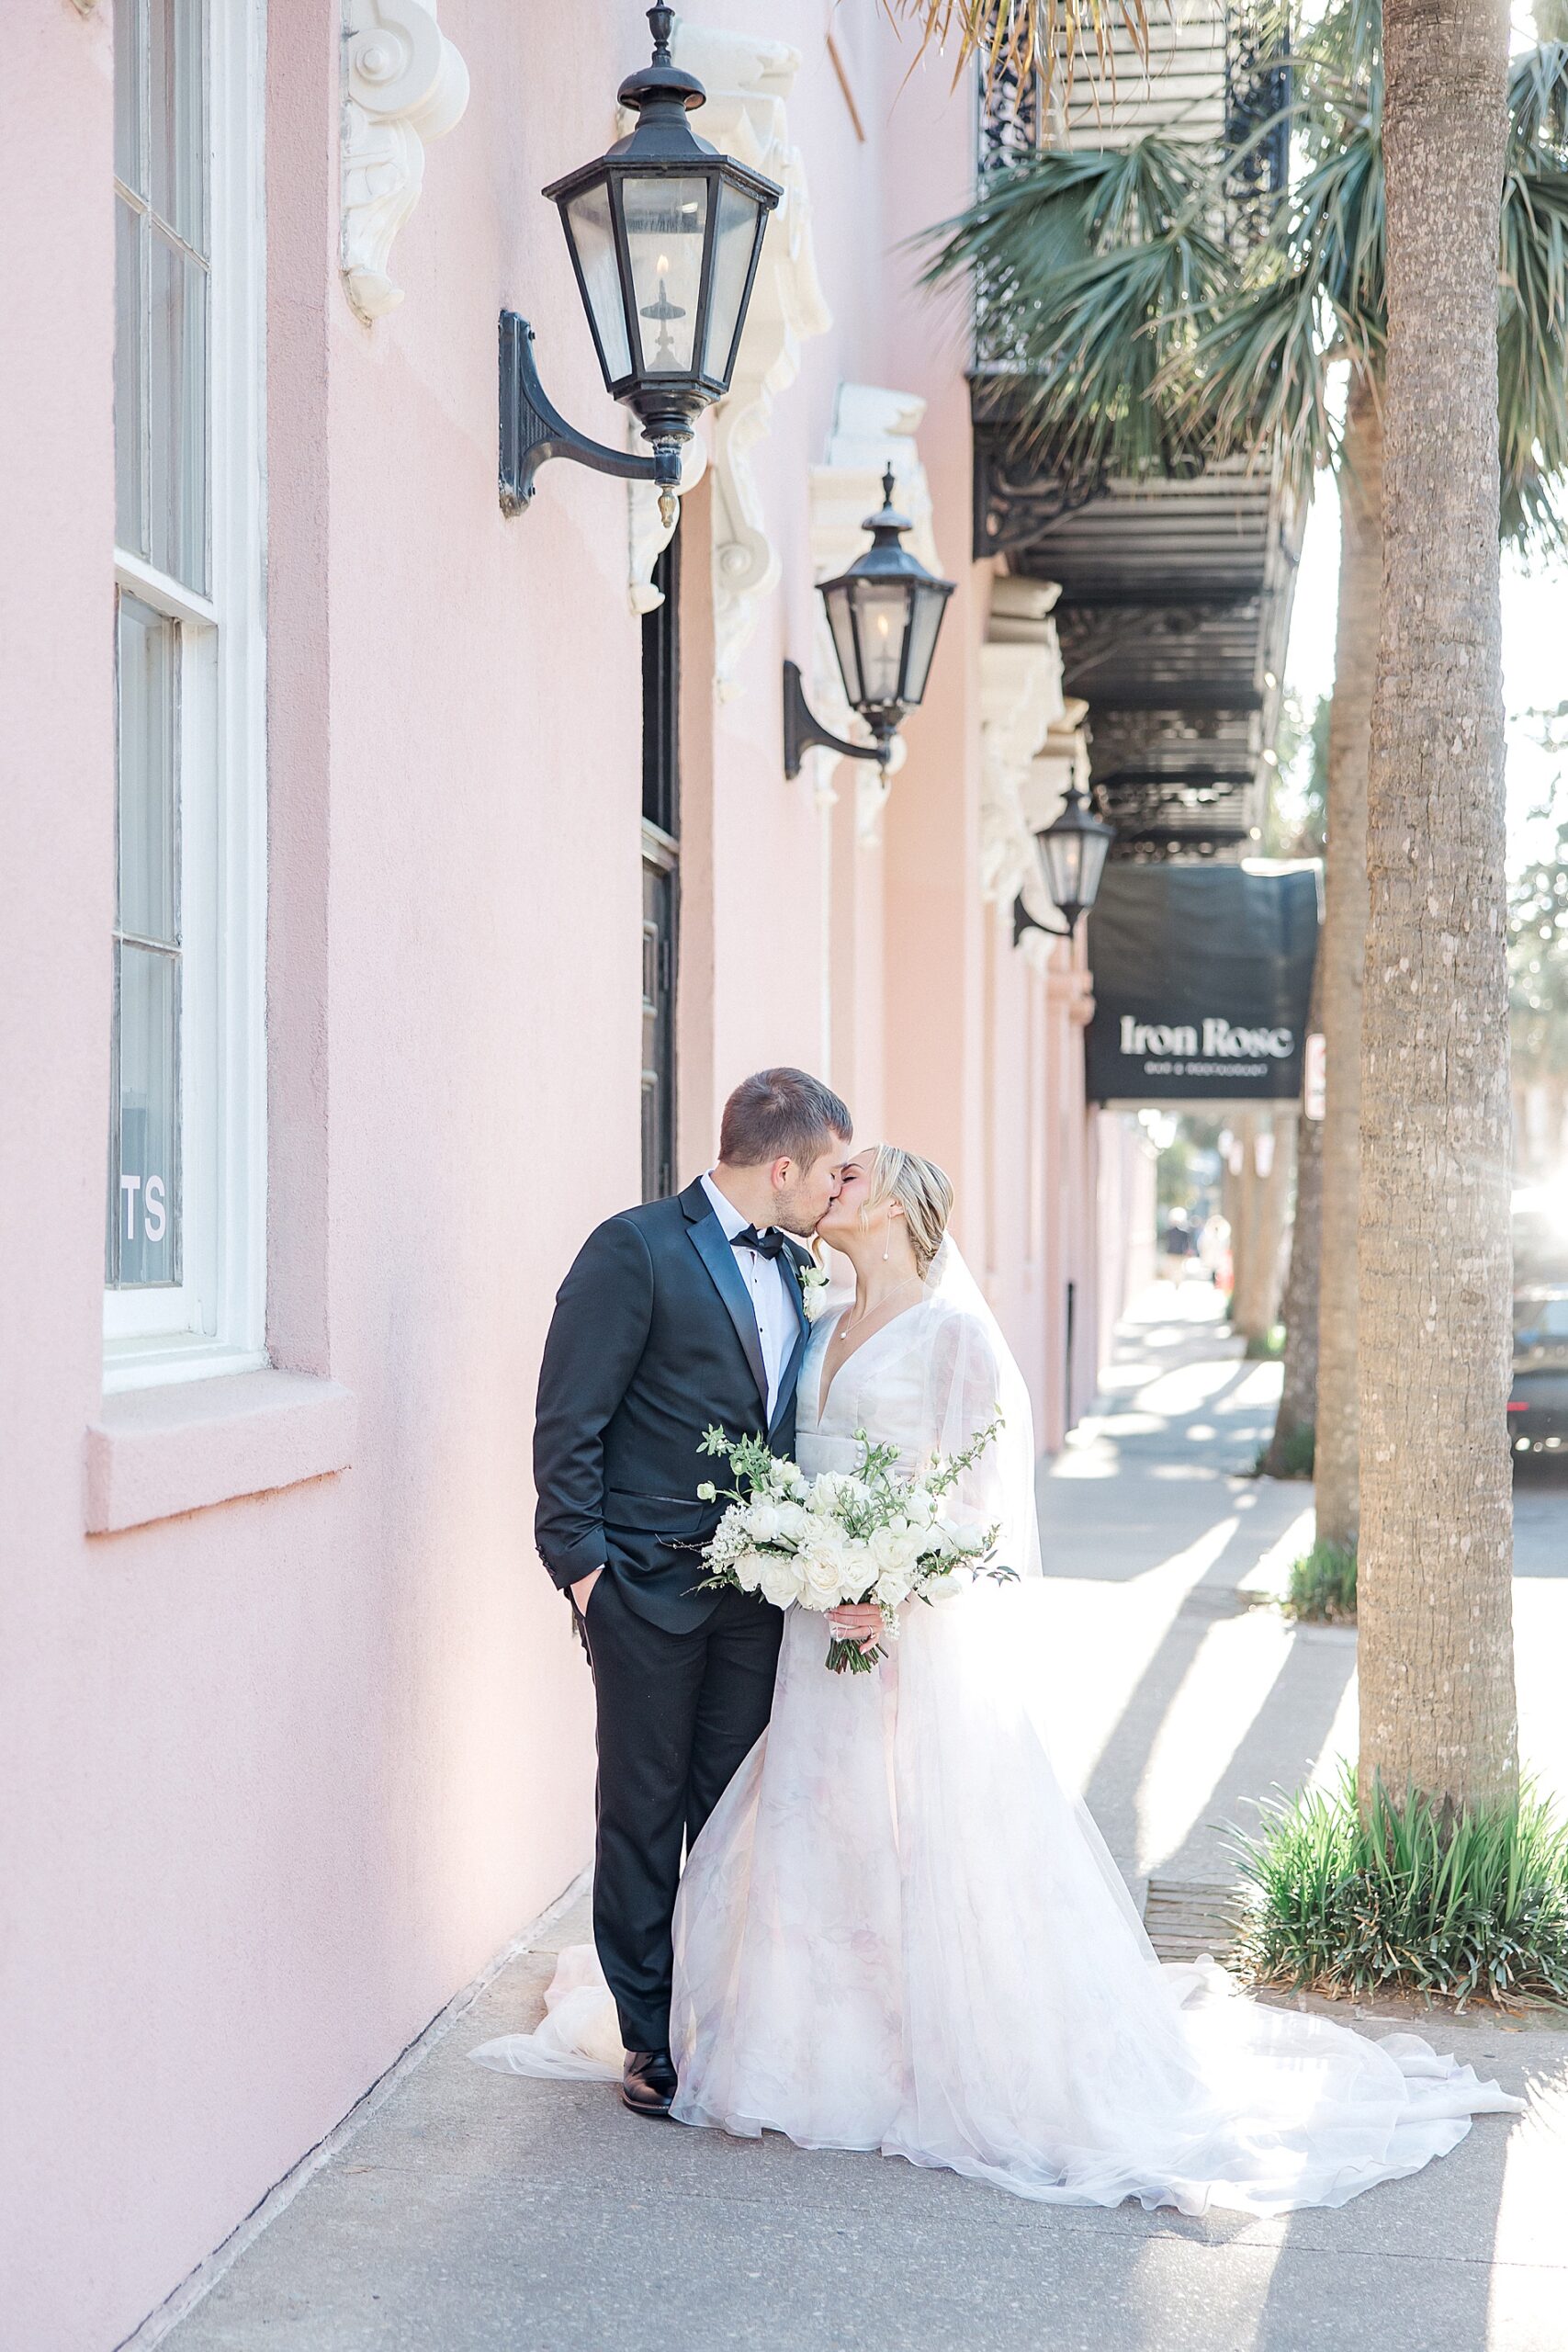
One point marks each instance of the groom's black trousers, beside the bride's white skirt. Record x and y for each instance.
(678, 1716)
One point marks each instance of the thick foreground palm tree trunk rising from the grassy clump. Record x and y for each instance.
(1435, 1582)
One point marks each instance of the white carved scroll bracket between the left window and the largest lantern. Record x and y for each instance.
(403, 86)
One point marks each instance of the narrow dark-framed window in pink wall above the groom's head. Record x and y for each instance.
(659, 874)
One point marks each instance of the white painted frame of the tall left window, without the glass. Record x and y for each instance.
(215, 1321)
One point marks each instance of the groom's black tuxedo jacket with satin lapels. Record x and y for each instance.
(652, 1342)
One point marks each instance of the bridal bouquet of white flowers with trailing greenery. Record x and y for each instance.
(845, 1537)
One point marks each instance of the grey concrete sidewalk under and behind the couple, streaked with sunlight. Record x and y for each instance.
(488, 2212)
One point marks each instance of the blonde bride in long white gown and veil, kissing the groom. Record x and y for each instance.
(899, 1932)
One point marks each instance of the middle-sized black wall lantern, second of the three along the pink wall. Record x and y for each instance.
(885, 617)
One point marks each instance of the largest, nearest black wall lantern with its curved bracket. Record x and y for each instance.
(664, 239)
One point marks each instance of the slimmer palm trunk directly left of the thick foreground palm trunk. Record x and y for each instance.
(1341, 954)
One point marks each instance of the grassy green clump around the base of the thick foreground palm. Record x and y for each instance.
(1407, 1902)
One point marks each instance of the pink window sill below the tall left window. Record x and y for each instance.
(159, 1452)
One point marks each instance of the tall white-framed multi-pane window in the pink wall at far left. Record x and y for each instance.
(182, 1259)
